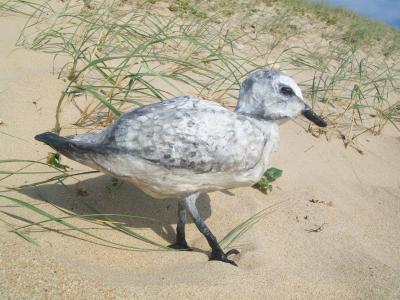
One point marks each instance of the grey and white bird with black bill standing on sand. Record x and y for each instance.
(181, 147)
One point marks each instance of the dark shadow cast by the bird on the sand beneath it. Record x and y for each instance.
(104, 195)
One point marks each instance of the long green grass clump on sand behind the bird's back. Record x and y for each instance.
(122, 58)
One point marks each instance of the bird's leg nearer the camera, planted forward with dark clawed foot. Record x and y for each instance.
(216, 253)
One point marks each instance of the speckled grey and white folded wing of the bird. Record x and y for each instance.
(188, 133)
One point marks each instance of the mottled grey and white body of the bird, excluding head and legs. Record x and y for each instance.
(178, 146)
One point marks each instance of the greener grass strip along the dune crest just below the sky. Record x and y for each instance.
(355, 30)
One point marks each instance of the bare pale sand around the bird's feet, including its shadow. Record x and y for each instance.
(355, 198)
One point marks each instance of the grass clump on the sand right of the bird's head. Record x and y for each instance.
(360, 93)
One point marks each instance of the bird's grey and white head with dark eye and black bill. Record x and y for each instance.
(272, 95)
